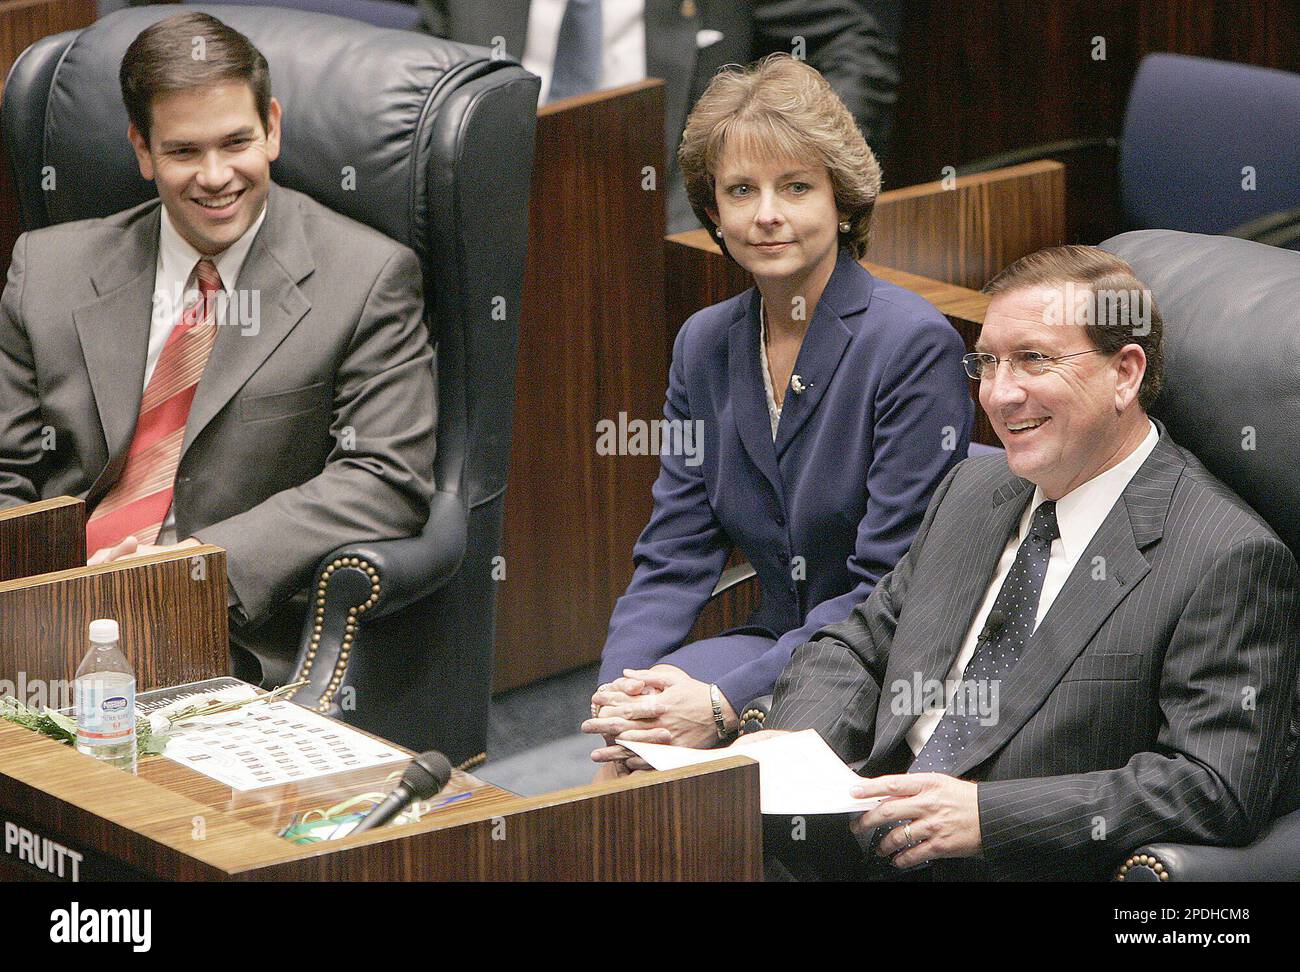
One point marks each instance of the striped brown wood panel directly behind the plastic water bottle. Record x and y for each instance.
(171, 607)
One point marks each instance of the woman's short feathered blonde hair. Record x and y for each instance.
(782, 109)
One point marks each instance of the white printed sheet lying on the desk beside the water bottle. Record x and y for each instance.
(267, 745)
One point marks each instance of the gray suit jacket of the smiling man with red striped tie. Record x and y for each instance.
(313, 429)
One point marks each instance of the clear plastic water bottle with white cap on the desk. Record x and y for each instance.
(106, 700)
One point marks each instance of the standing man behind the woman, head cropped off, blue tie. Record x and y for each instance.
(583, 45)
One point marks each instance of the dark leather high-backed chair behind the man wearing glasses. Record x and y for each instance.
(1233, 400)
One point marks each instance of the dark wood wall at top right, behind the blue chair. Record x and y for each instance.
(983, 79)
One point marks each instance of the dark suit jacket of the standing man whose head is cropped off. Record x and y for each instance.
(852, 42)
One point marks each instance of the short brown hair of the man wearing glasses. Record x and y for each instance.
(1104, 275)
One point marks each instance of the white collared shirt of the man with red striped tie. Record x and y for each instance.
(176, 264)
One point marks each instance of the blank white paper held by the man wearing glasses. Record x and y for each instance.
(798, 773)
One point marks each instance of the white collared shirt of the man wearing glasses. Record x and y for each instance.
(1080, 515)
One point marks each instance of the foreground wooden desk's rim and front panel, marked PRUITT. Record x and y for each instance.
(696, 825)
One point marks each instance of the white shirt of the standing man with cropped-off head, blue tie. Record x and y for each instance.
(623, 28)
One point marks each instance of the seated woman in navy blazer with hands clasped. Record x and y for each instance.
(831, 405)
